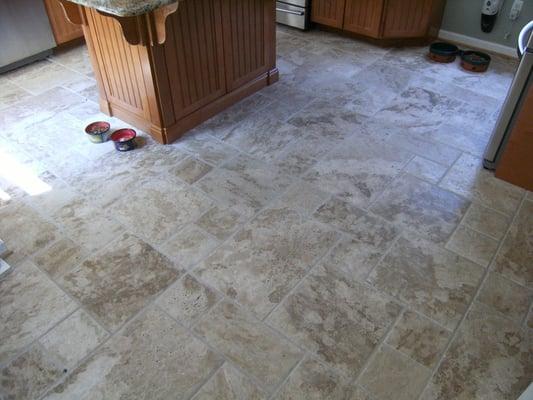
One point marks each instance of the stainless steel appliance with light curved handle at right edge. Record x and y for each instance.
(519, 88)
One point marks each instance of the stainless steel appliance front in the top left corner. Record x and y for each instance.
(25, 33)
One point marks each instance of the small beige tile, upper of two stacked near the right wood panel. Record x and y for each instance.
(486, 220)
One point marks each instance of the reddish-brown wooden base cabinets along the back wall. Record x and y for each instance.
(381, 19)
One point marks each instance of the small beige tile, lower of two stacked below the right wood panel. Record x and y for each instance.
(472, 245)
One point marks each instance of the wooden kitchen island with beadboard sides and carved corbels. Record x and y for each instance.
(165, 66)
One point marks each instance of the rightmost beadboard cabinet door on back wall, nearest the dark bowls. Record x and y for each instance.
(407, 18)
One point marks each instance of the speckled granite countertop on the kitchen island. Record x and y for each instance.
(125, 8)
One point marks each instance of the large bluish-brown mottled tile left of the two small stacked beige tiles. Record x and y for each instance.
(414, 204)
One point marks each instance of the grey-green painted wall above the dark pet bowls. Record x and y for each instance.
(463, 17)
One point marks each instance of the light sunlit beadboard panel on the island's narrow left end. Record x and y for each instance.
(120, 65)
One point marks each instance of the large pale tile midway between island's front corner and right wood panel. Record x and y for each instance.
(358, 170)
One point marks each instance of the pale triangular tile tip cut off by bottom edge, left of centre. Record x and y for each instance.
(229, 384)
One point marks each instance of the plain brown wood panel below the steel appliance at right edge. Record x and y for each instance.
(516, 163)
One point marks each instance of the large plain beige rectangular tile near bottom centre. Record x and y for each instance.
(249, 344)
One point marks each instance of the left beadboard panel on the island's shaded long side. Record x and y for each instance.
(194, 56)
